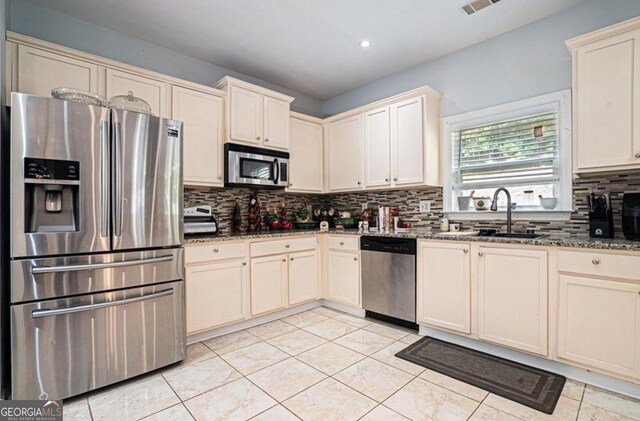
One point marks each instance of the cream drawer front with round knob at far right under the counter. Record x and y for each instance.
(599, 264)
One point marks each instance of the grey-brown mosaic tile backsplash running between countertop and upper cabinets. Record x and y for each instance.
(223, 201)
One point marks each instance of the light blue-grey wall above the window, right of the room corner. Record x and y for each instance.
(526, 62)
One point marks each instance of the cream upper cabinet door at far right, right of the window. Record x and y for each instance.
(608, 102)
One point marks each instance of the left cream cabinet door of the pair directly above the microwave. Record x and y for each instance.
(245, 115)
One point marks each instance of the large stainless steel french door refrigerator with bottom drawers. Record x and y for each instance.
(95, 263)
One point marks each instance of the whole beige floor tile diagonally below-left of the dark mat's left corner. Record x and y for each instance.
(374, 379)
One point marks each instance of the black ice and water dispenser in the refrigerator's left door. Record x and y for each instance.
(52, 189)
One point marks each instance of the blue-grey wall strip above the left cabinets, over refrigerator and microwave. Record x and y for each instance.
(39, 22)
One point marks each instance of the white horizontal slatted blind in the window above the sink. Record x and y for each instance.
(514, 152)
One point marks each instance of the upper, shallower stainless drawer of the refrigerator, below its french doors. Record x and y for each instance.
(39, 279)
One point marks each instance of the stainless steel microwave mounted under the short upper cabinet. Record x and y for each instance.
(247, 166)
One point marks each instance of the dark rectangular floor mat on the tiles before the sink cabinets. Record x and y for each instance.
(535, 388)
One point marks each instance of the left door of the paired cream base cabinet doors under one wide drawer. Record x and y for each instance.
(268, 283)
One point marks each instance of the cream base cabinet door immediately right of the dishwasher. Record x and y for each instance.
(444, 286)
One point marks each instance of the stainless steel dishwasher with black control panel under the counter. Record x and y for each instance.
(388, 268)
